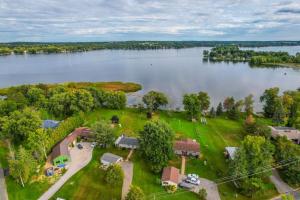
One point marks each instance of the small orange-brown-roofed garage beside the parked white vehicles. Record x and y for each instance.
(170, 176)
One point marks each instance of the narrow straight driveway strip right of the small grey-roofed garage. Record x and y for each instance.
(128, 174)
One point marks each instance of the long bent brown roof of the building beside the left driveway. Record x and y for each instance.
(62, 147)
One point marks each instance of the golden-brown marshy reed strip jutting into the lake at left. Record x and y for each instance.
(107, 86)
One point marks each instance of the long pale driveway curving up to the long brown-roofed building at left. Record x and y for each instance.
(80, 158)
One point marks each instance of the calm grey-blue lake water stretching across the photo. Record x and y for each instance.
(174, 72)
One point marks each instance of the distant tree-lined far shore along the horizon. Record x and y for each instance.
(37, 48)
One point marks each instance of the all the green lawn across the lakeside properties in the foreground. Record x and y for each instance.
(213, 137)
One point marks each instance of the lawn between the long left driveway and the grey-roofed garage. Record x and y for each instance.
(89, 182)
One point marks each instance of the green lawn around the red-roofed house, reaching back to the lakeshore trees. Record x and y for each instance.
(213, 138)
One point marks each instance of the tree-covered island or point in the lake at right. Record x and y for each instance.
(235, 54)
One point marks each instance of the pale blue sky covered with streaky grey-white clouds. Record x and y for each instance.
(121, 20)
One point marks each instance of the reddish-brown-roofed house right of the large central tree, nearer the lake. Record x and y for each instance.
(187, 147)
